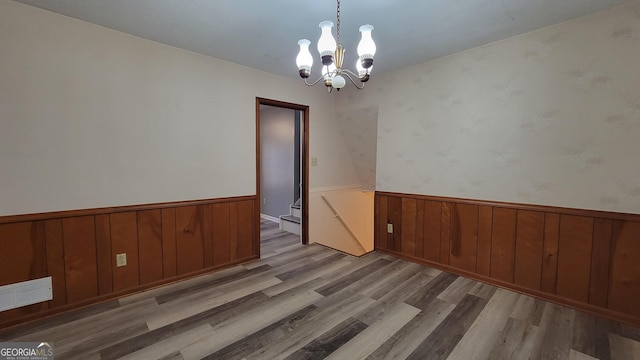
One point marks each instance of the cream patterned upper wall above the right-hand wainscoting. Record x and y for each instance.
(549, 117)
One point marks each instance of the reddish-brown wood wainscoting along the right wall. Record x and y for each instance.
(585, 259)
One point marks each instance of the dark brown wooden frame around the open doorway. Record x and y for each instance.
(305, 166)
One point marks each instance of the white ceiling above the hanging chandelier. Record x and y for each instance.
(263, 34)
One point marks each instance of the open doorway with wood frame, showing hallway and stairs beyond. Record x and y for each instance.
(282, 165)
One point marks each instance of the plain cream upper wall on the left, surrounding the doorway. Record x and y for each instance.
(91, 117)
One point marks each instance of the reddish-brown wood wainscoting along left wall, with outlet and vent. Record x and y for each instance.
(163, 243)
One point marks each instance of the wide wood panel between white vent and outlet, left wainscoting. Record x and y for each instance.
(81, 269)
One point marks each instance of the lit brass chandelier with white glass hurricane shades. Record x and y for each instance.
(332, 56)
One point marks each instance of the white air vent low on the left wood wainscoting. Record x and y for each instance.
(25, 293)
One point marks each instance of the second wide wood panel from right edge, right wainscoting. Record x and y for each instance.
(574, 257)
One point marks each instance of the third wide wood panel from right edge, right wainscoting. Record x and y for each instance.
(529, 244)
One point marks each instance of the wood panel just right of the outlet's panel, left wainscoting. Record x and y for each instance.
(150, 246)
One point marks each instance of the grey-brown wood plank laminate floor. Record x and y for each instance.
(312, 302)
